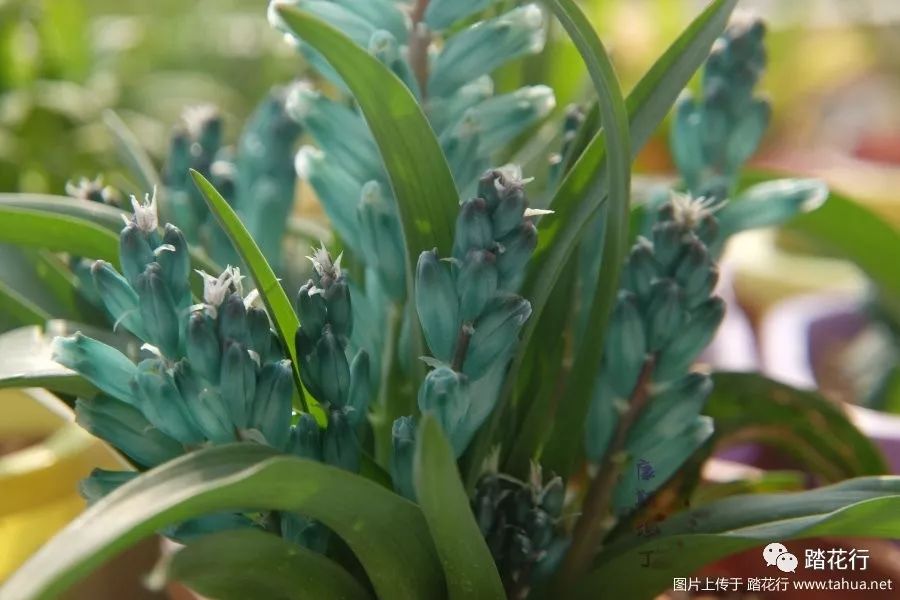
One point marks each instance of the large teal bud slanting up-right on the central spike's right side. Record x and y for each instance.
(495, 333)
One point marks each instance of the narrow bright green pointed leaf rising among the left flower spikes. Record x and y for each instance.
(270, 290)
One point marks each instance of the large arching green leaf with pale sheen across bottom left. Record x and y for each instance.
(387, 533)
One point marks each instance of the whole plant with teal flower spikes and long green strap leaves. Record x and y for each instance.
(490, 392)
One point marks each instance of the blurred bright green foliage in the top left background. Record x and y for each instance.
(62, 62)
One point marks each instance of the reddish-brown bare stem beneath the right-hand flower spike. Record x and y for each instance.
(595, 521)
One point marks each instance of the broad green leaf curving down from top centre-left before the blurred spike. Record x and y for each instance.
(420, 178)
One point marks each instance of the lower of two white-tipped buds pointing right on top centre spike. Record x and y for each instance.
(509, 115)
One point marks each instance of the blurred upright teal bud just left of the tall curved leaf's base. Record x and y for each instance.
(381, 238)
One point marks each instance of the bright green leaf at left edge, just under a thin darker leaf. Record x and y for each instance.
(59, 233)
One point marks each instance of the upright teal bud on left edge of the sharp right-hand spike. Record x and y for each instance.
(626, 345)
